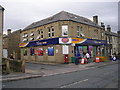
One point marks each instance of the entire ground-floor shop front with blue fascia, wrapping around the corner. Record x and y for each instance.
(57, 49)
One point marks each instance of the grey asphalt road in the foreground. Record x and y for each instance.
(101, 77)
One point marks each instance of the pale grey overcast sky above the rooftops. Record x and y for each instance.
(21, 13)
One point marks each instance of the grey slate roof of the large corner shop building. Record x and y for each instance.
(62, 16)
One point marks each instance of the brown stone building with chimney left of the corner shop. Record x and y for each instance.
(11, 43)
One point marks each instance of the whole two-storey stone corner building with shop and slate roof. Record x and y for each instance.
(62, 36)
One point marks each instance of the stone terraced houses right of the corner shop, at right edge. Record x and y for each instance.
(112, 41)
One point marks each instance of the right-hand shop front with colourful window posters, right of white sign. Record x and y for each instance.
(92, 46)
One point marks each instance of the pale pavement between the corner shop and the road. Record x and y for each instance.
(63, 68)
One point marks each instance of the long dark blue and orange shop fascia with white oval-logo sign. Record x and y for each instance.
(64, 40)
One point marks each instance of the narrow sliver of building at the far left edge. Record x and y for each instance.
(1, 29)
